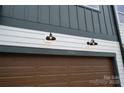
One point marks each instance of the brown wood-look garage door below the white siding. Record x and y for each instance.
(39, 70)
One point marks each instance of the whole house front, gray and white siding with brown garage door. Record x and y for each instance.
(28, 58)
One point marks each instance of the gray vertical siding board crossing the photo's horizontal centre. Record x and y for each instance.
(64, 17)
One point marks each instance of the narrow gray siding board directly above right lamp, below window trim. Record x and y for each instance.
(89, 21)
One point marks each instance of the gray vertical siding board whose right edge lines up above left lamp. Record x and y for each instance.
(43, 12)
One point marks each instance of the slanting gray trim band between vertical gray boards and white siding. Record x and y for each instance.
(50, 28)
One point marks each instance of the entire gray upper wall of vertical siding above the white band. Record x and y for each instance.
(72, 19)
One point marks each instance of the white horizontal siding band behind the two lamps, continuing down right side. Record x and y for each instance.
(30, 38)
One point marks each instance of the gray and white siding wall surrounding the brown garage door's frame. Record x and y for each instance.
(73, 27)
